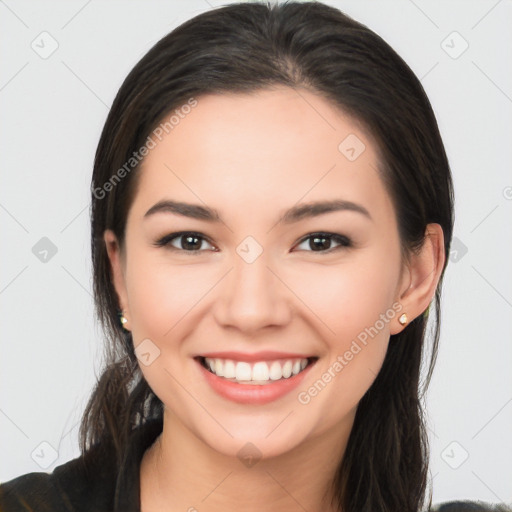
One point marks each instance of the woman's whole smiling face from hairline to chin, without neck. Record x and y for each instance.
(258, 281)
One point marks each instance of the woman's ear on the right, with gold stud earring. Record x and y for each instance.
(421, 276)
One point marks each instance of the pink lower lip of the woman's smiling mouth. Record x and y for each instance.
(252, 393)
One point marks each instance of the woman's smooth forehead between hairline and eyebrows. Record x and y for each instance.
(260, 151)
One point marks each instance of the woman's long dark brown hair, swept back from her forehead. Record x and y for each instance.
(242, 48)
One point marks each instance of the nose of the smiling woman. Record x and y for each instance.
(252, 297)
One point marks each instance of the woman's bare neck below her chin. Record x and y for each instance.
(179, 472)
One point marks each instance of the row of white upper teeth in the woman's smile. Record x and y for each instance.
(259, 372)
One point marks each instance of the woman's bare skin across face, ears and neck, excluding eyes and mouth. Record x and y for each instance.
(251, 157)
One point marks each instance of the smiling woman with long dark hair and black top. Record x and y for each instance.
(272, 211)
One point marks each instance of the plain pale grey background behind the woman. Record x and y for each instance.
(52, 110)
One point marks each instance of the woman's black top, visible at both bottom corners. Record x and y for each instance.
(95, 484)
